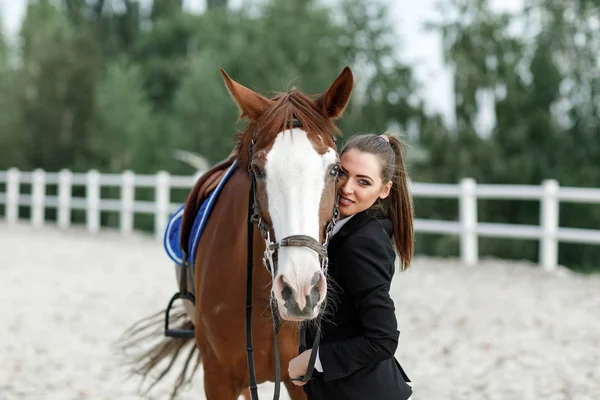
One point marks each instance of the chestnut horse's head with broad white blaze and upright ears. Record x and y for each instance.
(289, 147)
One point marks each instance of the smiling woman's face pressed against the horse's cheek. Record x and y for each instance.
(359, 182)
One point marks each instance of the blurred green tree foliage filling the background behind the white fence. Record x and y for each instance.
(123, 85)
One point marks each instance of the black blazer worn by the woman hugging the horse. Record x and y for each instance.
(359, 328)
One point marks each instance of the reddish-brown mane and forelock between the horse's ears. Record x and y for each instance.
(286, 107)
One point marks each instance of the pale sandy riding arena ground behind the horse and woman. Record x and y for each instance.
(496, 331)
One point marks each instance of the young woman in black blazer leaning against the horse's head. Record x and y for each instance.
(355, 358)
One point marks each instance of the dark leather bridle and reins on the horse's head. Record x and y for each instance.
(254, 217)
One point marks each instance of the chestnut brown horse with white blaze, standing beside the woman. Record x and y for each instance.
(295, 165)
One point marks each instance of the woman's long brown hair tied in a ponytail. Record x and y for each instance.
(389, 150)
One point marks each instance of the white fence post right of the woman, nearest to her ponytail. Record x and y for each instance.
(469, 251)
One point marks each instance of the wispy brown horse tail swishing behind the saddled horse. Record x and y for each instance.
(151, 355)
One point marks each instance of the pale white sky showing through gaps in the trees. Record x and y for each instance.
(417, 47)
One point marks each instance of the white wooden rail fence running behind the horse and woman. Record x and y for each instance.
(467, 192)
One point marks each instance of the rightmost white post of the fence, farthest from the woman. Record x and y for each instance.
(549, 220)
